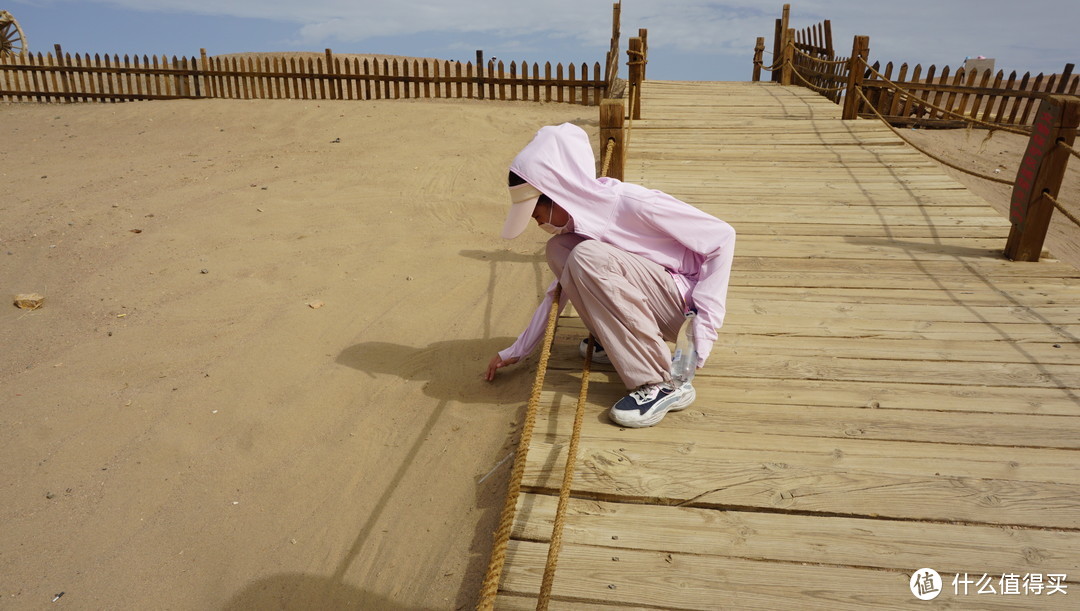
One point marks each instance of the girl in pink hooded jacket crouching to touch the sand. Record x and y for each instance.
(632, 261)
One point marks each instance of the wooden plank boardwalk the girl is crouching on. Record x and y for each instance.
(888, 392)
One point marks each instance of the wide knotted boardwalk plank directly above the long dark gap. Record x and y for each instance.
(870, 479)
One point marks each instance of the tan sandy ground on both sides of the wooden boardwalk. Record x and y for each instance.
(255, 379)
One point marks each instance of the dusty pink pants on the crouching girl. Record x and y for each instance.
(630, 304)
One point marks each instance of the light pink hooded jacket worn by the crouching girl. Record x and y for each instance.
(695, 248)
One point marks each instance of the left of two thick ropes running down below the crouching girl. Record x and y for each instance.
(491, 587)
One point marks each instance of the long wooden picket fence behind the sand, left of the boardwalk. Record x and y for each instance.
(83, 78)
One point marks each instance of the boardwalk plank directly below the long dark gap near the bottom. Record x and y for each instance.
(790, 538)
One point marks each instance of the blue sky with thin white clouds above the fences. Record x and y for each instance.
(688, 39)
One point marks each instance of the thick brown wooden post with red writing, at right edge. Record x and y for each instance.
(1041, 173)
